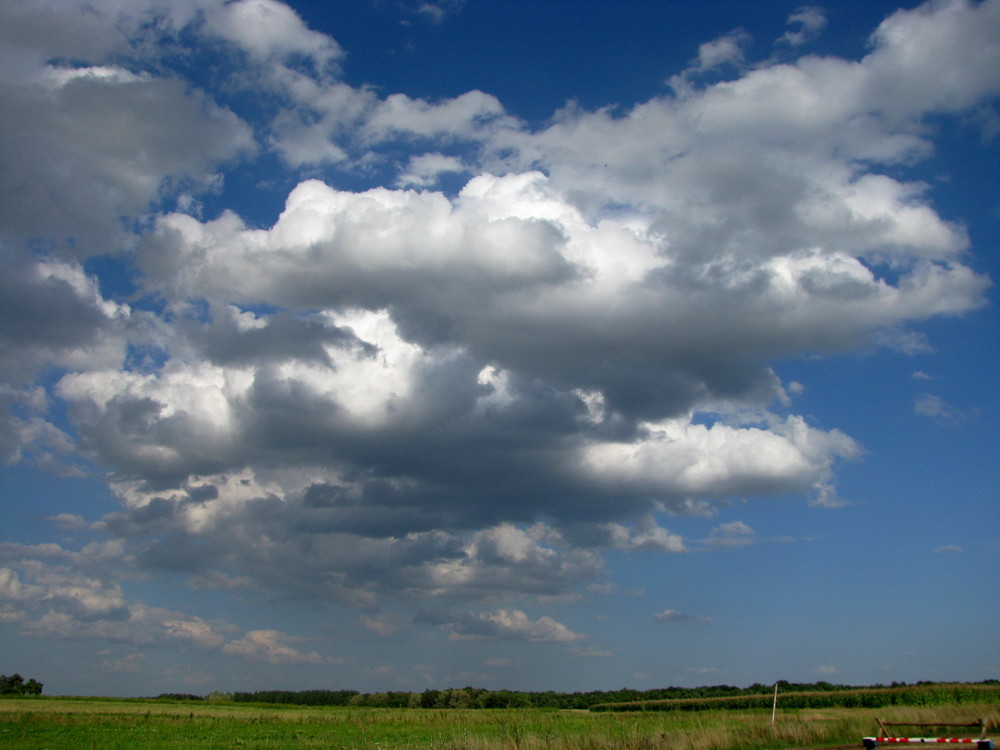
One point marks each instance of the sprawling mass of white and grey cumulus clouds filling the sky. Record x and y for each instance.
(459, 396)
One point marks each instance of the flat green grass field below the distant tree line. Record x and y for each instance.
(106, 724)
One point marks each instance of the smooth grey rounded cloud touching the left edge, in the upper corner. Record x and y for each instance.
(75, 171)
